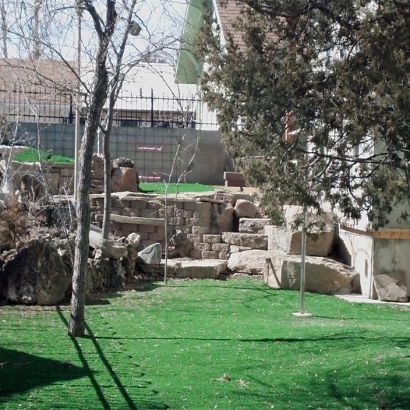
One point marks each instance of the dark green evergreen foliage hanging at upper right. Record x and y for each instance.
(336, 73)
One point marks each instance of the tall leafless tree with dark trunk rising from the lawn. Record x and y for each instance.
(107, 26)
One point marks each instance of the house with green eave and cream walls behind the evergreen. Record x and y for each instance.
(370, 252)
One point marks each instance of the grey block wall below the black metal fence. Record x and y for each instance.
(153, 150)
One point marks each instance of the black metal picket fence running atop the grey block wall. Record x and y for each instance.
(41, 105)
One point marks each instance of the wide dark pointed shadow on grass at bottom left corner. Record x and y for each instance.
(21, 371)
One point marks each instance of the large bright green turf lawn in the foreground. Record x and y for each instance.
(207, 344)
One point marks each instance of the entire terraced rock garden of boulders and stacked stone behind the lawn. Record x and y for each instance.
(204, 235)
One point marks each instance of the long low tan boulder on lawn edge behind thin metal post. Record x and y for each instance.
(322, 275)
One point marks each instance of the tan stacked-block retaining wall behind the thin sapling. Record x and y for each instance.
(145, 215)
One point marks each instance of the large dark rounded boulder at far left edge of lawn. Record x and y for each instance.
(35, 274)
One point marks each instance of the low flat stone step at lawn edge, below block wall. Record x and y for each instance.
(183, 268)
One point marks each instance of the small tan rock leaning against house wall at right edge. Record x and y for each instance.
(391, 287)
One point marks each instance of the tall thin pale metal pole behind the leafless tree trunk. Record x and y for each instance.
(78, 104)
